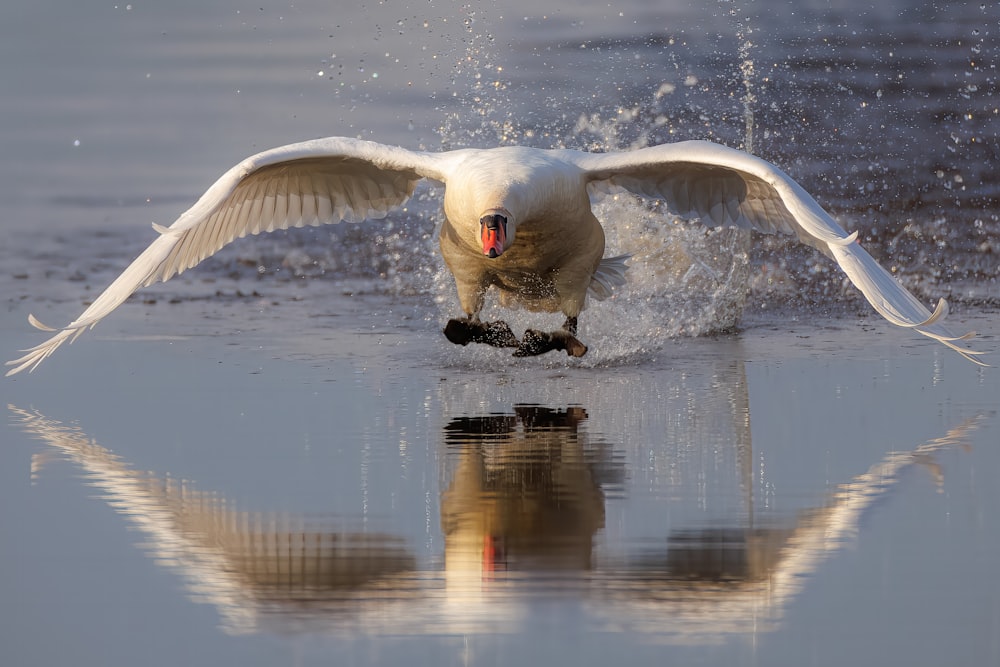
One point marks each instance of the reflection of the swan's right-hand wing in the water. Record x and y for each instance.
(712, 582)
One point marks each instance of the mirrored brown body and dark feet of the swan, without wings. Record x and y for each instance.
(526, 493)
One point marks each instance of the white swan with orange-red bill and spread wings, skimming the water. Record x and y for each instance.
(518, 219)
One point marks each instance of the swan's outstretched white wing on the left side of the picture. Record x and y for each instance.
(309, 183)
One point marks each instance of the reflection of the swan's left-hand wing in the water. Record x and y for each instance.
(248, 565)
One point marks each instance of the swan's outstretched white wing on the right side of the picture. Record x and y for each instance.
(725, 187)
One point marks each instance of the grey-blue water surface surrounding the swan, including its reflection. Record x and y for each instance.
(277, 459)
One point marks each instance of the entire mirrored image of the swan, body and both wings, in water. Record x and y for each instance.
(520, 515)
